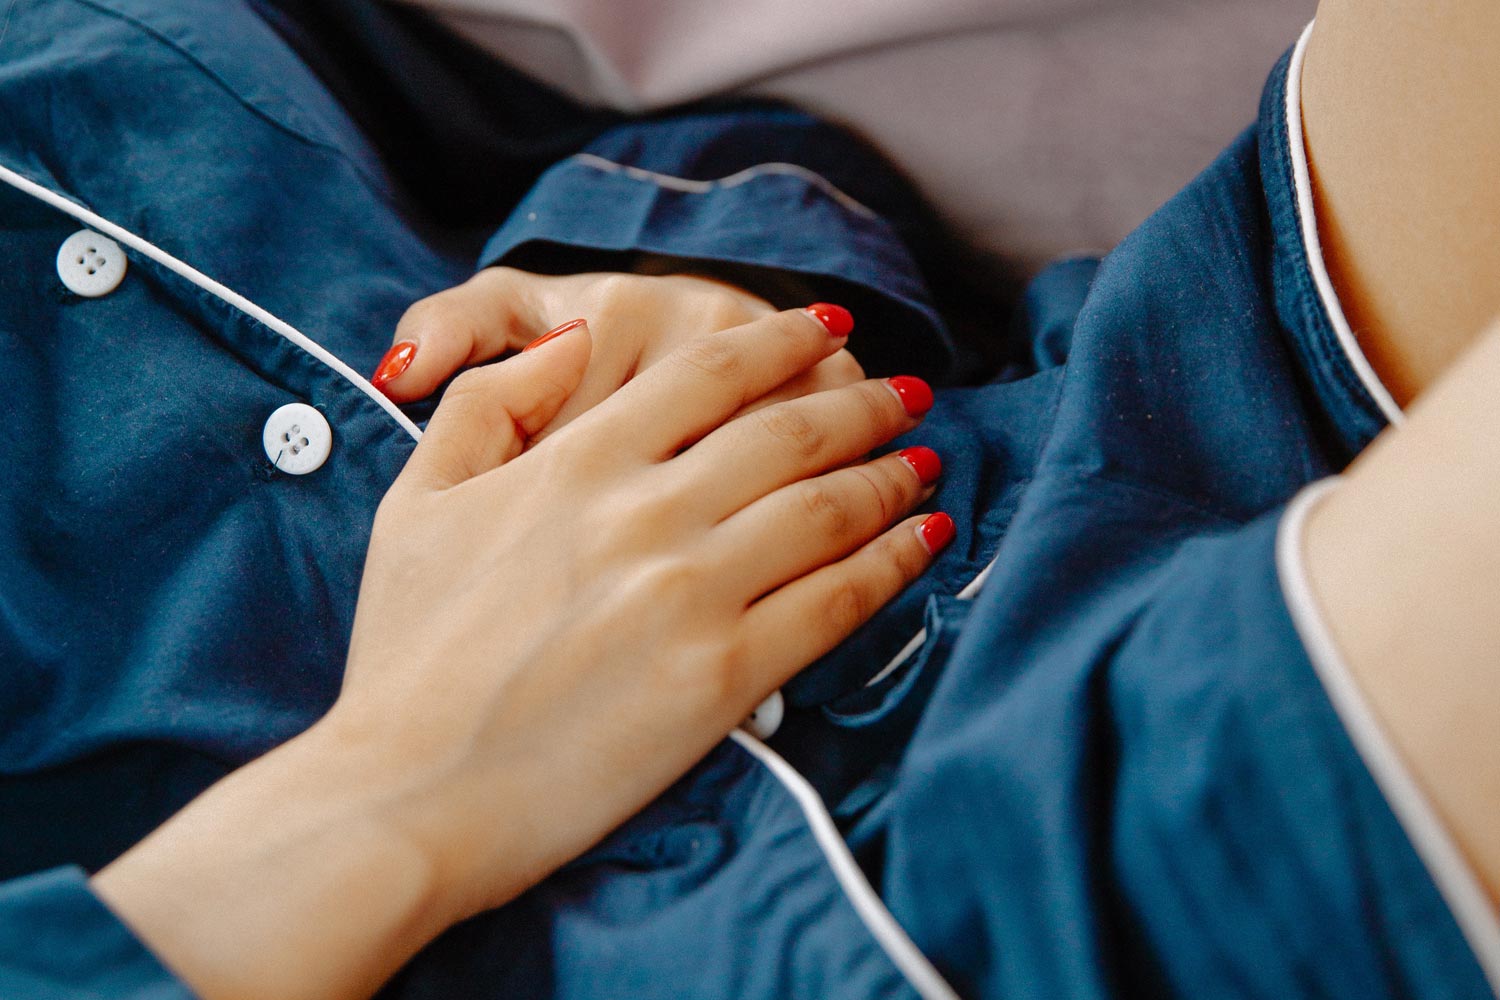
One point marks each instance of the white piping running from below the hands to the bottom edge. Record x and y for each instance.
(868, 905)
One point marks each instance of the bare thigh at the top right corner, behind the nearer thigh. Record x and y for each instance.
(1397, 101)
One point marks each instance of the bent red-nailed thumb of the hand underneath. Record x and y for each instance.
(490, 314)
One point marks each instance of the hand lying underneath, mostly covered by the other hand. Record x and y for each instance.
(637, 322)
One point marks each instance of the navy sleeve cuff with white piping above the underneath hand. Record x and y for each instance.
(764, 197)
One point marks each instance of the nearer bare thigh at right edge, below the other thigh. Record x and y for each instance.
(1405, 561)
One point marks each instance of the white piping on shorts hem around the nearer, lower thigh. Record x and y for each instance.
(1453, 876)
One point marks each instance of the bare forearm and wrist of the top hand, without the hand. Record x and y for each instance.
(289, 879)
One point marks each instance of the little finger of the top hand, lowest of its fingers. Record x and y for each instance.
(793, 626)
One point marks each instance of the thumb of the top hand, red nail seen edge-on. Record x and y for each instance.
(490, 413)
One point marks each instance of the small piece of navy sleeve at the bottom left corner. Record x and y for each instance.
(59, 942)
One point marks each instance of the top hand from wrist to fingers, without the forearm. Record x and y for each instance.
(631, 588)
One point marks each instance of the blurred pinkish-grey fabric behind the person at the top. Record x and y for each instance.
(1037, 128)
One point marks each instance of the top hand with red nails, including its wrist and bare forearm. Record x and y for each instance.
(545, 641)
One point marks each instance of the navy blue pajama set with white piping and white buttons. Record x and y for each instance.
(1105, 749)
